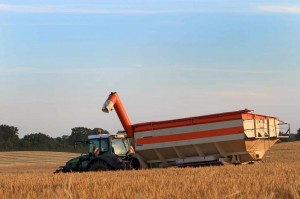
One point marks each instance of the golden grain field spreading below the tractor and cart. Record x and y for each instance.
(277, 178)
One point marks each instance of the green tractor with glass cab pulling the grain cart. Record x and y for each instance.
(106, 152)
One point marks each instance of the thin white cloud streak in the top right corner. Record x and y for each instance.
(289, 9)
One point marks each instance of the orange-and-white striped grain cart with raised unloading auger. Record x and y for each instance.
(230, 137)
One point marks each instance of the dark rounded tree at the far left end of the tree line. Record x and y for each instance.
(9, 138)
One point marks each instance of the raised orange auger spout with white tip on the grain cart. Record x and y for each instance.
(113, 100)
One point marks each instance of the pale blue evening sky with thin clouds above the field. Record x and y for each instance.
(59, 60)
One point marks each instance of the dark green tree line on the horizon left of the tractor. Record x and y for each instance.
(10, 141)
